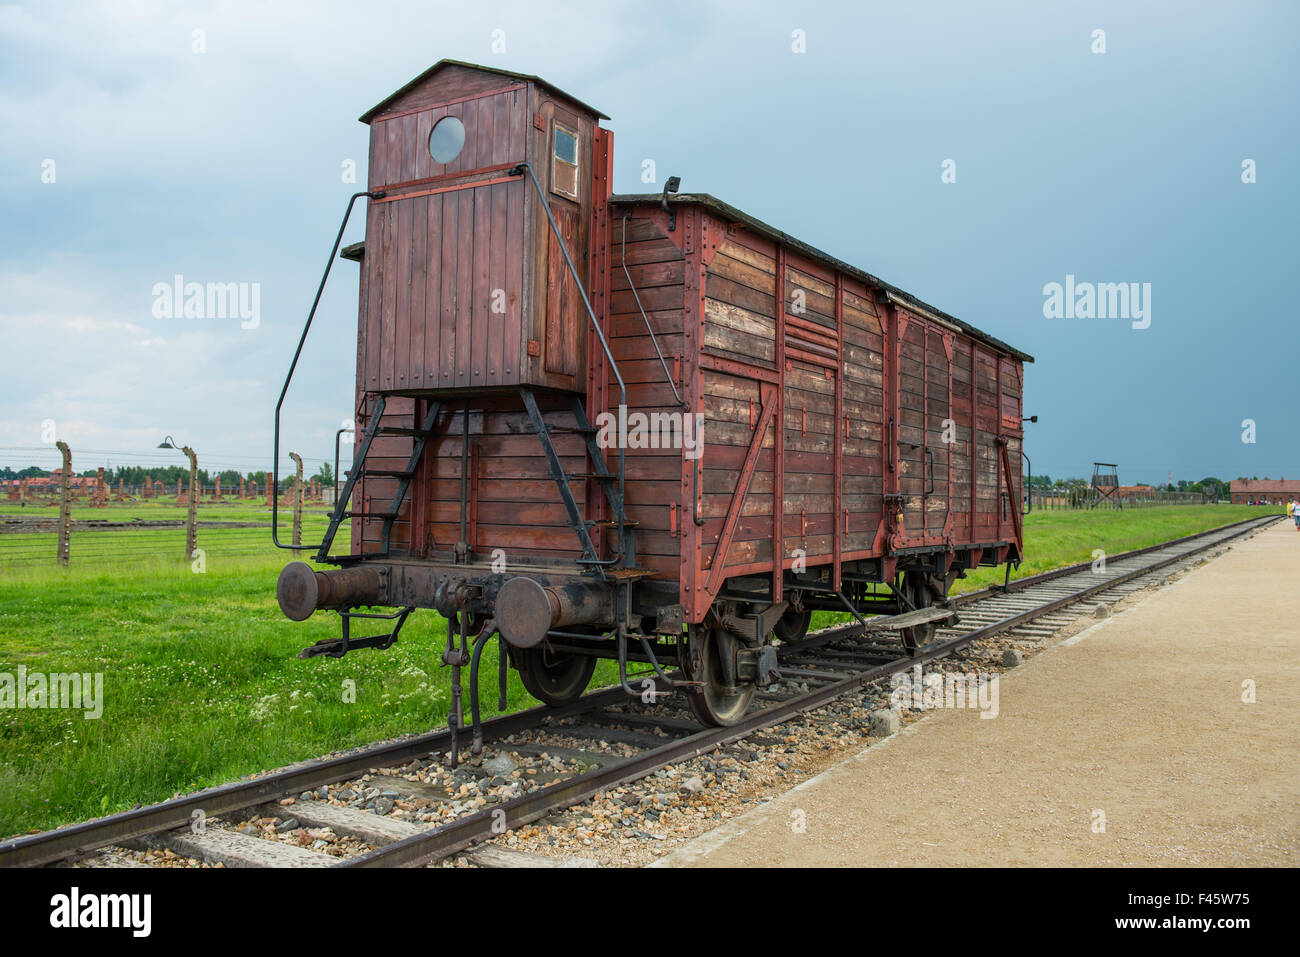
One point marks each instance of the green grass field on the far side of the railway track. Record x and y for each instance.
(201, 682)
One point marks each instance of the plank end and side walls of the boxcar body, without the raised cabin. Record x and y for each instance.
(518, 508)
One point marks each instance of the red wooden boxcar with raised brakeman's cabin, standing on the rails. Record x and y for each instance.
(643, 427)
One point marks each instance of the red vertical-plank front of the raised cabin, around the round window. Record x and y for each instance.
(434, 259)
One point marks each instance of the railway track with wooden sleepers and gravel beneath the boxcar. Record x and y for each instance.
(545, 760)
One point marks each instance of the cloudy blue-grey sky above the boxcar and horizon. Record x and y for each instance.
(135, 149)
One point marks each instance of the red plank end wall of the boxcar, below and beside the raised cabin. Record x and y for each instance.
(517, 505)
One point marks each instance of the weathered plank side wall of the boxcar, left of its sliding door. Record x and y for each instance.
(740, 326)
